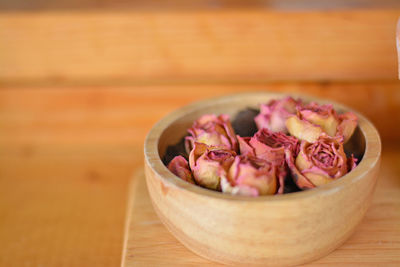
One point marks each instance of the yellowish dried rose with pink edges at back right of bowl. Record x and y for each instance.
(313, 120)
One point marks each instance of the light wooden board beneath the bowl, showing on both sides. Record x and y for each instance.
(376, 241)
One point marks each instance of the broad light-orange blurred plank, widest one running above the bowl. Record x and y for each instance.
(249, 44)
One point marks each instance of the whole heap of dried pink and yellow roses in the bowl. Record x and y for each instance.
(313, 152)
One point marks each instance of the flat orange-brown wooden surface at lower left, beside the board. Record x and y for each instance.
(63, 205)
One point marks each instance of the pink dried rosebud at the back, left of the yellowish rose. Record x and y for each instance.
(273, 115)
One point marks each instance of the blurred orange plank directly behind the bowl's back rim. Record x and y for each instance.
(123, 115)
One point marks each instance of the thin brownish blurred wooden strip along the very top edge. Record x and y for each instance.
(11, 5)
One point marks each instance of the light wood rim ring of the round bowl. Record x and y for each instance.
(153, 160)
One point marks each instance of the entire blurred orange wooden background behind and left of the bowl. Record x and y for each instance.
(81, 83)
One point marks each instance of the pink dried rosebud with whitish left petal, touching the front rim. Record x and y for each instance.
(250, 176)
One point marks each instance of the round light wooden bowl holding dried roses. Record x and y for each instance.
(284, 229)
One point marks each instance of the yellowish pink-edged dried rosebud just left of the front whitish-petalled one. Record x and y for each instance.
(209, 163)
